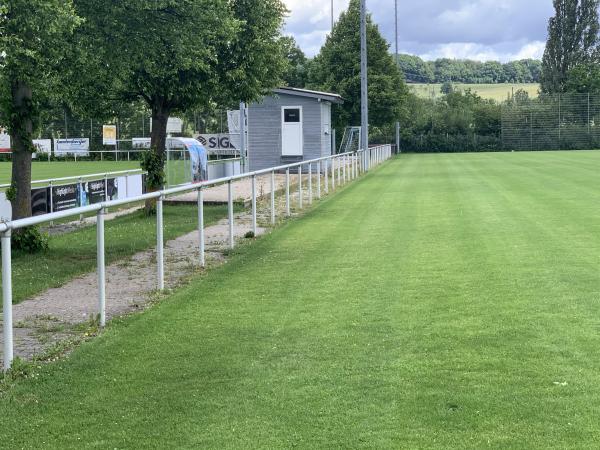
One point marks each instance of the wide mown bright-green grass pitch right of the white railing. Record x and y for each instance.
(446, 301)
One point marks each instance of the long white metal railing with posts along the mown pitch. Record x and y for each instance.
(332, 171)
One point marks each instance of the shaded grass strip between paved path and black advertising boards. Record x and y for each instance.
(74, 253)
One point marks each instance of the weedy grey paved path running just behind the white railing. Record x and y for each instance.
(67, 312)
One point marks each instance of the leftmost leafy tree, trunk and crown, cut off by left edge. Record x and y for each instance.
(32, 38)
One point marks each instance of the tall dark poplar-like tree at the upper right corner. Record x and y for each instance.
(572, 40)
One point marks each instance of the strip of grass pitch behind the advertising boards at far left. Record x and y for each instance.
(57, 169)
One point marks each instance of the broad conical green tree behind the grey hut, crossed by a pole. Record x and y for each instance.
(337, 69)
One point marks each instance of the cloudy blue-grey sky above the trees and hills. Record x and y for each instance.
(484, 30)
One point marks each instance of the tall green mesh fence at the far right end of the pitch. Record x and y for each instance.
(552, 122)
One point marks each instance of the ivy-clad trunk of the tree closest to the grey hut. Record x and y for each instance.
(158, 140)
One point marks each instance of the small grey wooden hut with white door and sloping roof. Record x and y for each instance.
(290, 126)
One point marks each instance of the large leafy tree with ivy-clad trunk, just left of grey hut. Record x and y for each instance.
(179, 55)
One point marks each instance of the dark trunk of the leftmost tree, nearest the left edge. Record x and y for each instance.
(21, 134)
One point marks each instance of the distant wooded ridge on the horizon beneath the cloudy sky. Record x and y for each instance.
(416, 70)
